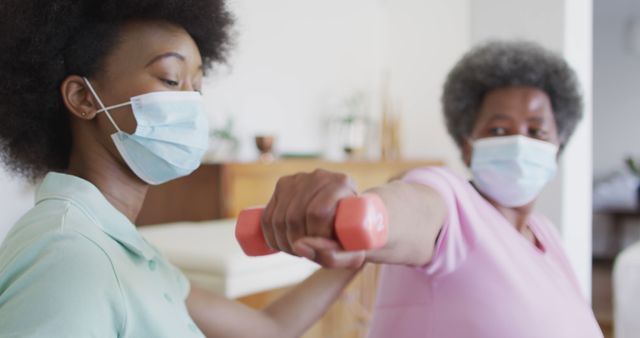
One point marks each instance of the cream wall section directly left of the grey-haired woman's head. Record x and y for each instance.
(426, 39)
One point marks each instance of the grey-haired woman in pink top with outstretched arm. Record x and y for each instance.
(467, 259)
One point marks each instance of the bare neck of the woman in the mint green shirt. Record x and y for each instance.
(120, 186)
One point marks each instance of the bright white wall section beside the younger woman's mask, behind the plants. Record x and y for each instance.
(294, 61)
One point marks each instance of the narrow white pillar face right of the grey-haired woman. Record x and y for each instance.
(577, 163)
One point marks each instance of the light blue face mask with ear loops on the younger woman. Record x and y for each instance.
(170, 138)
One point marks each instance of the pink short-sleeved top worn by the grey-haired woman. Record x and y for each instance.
(485, 279)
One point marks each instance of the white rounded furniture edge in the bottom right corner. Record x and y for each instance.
(626, 290)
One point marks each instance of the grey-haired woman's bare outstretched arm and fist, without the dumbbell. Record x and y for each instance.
(304, 205)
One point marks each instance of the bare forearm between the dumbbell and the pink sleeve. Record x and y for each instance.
(416, 214)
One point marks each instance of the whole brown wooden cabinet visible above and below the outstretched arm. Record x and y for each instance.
(217, 191)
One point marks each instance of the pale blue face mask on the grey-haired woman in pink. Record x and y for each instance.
(512, 170)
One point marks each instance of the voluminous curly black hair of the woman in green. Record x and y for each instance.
(44, 41)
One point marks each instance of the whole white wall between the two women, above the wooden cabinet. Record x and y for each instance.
(295, 60)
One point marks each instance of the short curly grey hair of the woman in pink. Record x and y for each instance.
(497, 64)
